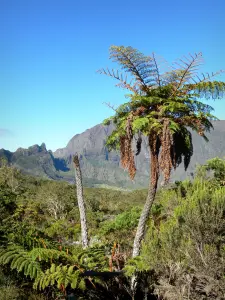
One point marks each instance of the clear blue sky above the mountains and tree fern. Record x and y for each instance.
(50, 52)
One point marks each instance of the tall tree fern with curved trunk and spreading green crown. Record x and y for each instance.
(164, 106)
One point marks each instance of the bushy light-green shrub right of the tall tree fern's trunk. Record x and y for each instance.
(185, 244)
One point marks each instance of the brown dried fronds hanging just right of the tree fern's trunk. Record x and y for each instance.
(166, 160)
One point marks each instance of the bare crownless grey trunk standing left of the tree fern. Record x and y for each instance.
(80, 200)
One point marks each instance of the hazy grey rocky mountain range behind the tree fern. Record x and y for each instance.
(101, 167)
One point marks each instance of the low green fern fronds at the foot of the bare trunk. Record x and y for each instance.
(33, 264)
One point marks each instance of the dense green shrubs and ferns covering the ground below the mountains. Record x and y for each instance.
(182, 256)
